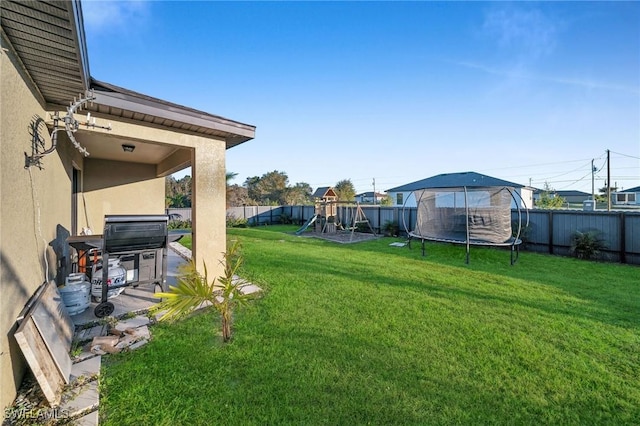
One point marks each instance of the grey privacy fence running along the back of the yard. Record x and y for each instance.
(549, 231)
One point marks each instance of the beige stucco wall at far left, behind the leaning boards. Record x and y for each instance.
(31, 212)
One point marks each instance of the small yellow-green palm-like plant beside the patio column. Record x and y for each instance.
(194, 290)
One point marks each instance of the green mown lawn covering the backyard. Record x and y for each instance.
(372, 334)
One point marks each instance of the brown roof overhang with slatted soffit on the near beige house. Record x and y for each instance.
(50, 42)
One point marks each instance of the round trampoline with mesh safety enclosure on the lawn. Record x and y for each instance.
(469, 215)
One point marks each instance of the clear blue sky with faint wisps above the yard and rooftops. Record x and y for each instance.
(396, 91)
